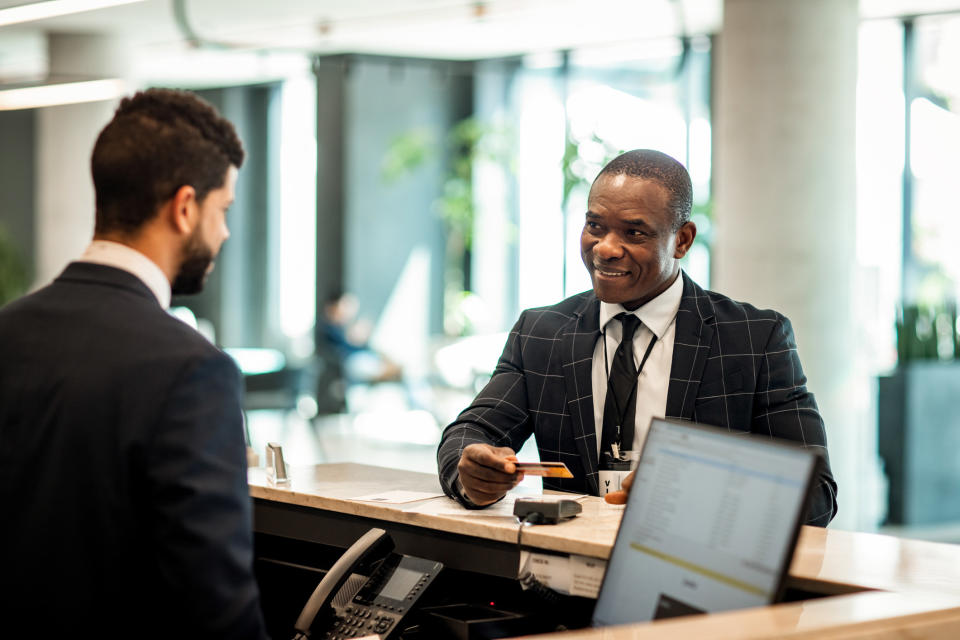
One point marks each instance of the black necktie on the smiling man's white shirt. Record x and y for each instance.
(620, 406)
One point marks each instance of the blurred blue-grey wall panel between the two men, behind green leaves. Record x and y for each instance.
(388, 220)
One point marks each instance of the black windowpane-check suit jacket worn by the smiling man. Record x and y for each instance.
(734, 366)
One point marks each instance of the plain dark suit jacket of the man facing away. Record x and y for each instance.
(123, 482)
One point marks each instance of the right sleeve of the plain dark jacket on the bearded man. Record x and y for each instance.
(201, 506)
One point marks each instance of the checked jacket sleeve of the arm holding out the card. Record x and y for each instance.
(499, 415)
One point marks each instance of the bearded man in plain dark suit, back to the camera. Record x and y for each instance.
(122, 455)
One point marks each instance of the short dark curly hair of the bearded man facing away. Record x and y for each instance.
(158, 141)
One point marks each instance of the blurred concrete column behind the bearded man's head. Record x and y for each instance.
(65, 137)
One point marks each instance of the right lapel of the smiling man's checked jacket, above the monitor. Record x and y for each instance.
(694, 336)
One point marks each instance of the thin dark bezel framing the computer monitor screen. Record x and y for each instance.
(815, 459)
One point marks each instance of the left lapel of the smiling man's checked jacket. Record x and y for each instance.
(579, 339)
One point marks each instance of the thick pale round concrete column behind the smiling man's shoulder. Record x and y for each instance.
(785, 188)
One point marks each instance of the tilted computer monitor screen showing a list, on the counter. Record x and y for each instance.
(710, 524)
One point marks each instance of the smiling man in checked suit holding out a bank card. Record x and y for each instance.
(566, 376)
